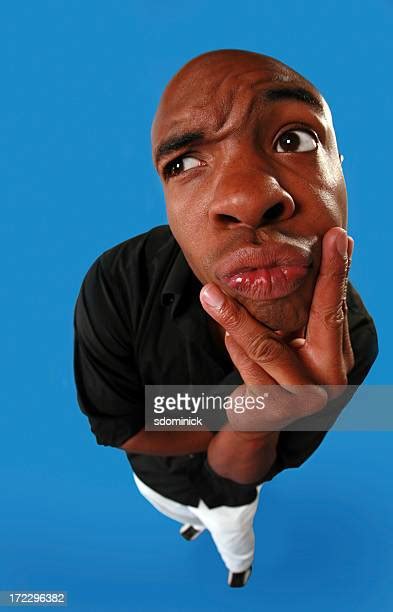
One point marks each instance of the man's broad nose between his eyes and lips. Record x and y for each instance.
(249, 195)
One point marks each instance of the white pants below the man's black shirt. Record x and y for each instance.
(230, 527)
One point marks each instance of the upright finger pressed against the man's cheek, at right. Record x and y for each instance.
(326, 320)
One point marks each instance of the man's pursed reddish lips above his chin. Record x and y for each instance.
(265, 273)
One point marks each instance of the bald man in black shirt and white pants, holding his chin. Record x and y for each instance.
(247, 286)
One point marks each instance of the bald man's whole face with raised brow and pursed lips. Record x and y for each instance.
(252, 180)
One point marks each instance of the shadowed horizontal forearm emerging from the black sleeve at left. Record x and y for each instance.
(168, 442)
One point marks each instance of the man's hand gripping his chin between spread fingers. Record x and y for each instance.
(323, 357)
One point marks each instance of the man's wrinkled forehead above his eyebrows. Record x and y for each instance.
(222, 93)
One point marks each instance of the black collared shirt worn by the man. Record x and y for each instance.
(138, 321)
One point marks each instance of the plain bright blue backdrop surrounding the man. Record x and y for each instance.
(80, 82)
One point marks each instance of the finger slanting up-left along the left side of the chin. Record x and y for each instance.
(261, 344)
